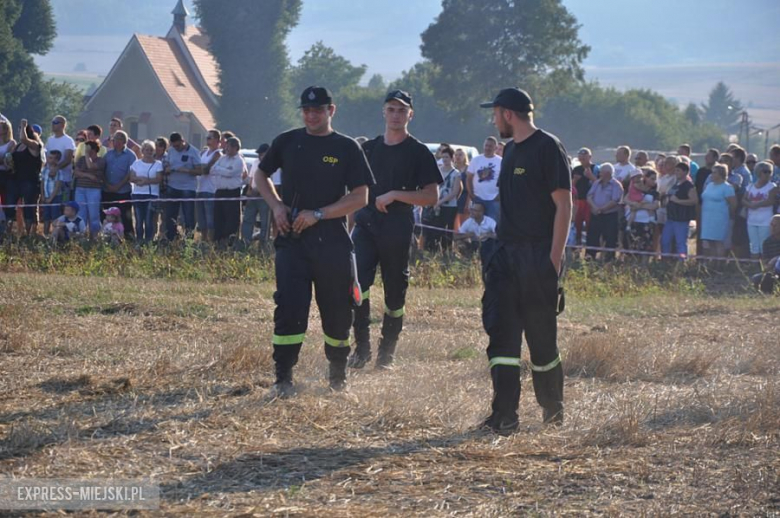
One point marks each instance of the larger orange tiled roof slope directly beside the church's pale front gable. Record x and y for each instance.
(170, 66)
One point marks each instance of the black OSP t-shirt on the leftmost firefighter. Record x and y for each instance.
(316, 171)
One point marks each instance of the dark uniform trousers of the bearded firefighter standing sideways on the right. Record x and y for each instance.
(521, 297)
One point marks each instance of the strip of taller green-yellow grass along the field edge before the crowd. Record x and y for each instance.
(194, 261)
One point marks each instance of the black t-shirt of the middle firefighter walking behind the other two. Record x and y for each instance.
(408, 166)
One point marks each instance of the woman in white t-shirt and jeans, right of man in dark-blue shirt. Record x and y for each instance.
(145, 176)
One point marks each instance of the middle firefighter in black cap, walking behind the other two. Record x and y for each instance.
(406, 175)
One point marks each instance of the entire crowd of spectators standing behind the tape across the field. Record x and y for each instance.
(110, 187)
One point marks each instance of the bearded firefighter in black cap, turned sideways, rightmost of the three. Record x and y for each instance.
(521, 277)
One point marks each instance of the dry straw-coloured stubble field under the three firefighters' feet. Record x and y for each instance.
(673, 406)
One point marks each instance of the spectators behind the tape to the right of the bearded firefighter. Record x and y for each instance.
(659, 206)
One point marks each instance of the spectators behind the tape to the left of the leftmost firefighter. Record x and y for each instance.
(111, 188)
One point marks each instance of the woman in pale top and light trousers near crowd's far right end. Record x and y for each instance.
(759, 200)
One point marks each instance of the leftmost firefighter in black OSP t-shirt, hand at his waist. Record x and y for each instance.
(319, 165)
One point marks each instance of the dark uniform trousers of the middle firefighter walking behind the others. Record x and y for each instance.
(382, 240)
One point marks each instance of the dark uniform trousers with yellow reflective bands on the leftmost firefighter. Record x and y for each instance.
(323, 262)
